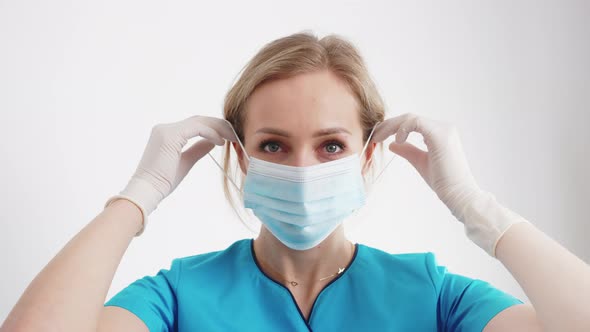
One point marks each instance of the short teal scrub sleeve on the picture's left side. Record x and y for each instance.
(152, 298)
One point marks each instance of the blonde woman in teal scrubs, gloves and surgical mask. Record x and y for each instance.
(305, 121)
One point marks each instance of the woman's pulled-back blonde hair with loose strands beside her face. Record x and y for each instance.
(289, 56)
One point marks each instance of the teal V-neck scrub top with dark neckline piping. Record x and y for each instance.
(226, 290)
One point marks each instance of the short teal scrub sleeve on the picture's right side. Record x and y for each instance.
(465, 304)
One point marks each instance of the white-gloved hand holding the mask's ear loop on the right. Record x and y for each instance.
(445, 169)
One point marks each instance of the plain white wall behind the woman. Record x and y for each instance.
(83, 83)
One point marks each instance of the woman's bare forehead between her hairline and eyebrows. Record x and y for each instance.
(303, 103)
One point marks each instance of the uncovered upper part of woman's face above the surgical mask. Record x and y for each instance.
(304, 120)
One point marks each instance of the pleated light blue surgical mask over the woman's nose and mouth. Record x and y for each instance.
(302, 206)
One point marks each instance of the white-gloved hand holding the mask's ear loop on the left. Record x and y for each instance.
(164, 165)
